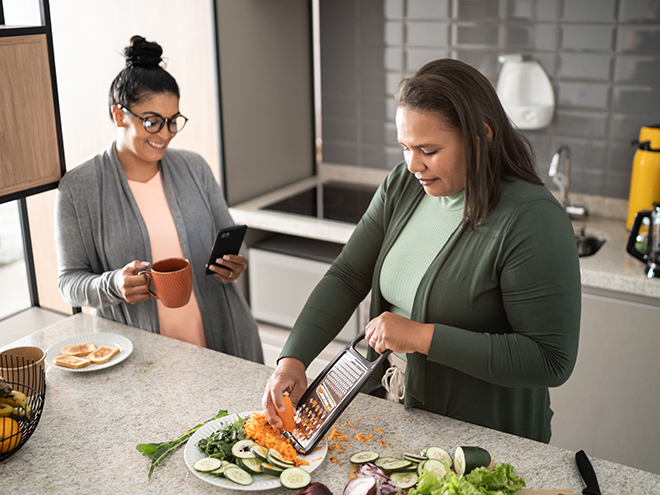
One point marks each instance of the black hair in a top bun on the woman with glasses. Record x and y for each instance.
(143, 76)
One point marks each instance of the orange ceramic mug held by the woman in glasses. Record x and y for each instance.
(172, 278)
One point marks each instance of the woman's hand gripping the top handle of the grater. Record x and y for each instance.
(399, 334)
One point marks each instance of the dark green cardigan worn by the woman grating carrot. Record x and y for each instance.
(504, 298)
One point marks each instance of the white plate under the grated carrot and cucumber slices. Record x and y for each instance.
(192, 454)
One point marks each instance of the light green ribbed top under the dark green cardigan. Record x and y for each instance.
(425, 234)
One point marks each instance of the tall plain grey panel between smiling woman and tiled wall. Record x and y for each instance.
(265, 77)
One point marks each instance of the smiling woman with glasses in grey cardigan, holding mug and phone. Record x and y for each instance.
(138, 202)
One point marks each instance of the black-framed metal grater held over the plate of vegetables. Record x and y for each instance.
(329, 394)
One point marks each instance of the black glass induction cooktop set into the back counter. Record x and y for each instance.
(340, 201)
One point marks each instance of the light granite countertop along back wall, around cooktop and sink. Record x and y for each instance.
(611, 268)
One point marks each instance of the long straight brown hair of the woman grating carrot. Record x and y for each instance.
(465, 99)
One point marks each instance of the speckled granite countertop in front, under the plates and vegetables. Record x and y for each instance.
(91, 423)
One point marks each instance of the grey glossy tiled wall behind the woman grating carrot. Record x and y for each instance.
(602, 56)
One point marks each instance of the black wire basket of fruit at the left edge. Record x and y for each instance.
(26, 381)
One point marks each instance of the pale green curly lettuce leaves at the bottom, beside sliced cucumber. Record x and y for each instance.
(499, 480)
